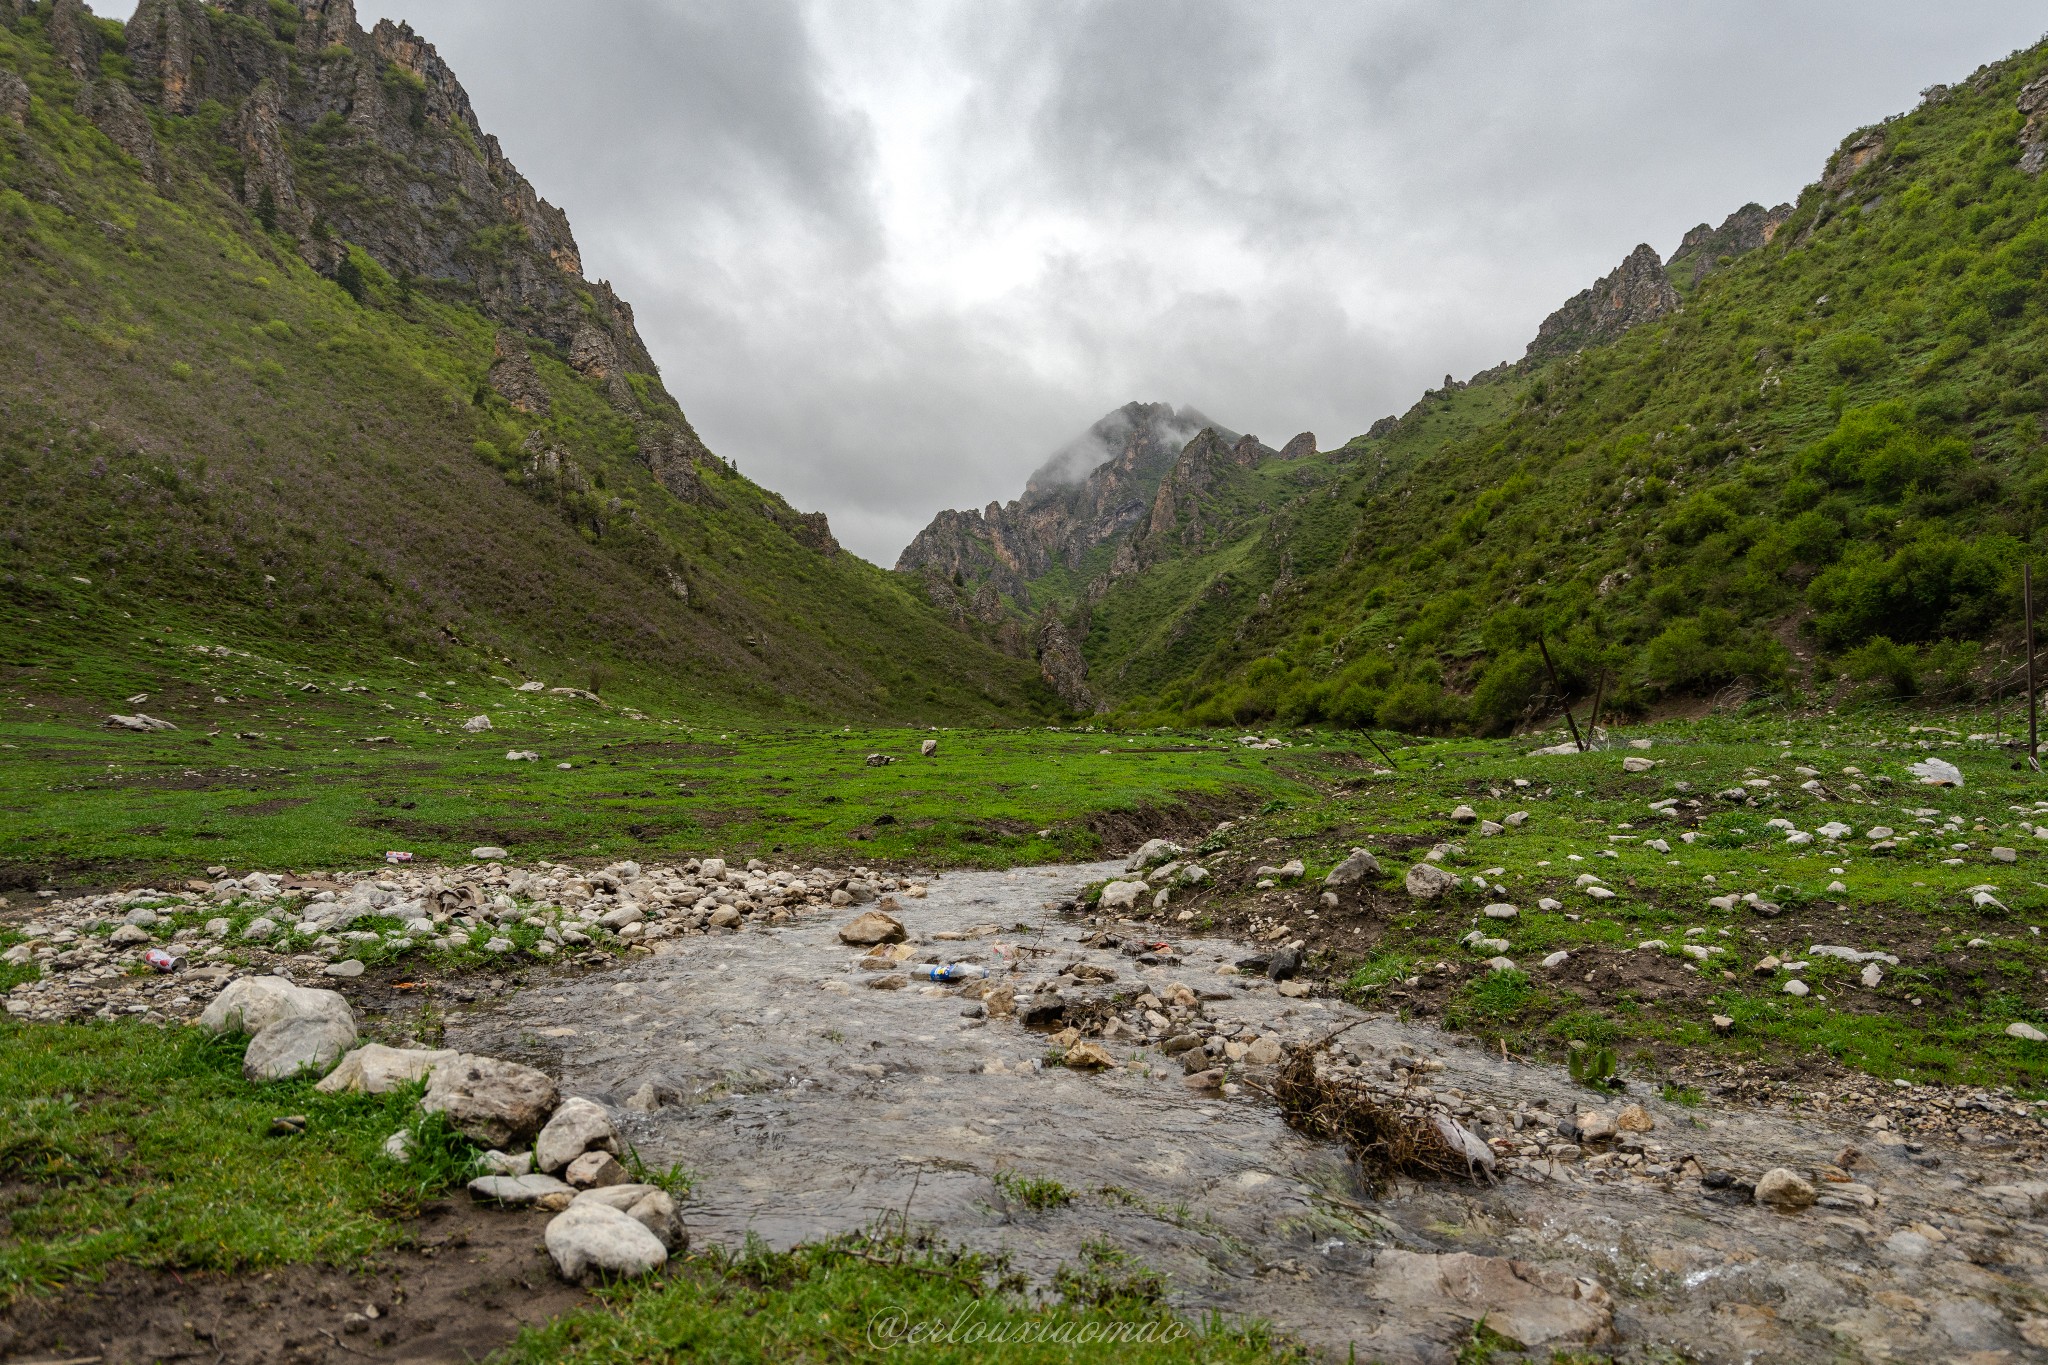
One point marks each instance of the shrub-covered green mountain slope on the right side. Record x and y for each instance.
(1807, 451)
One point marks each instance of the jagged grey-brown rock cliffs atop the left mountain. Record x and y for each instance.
(343, 138)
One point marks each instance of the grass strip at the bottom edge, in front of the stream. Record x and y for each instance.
(861, 1298)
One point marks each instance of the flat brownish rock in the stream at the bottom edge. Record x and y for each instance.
(1525, 1303)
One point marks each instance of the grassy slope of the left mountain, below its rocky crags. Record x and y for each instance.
(206, 437)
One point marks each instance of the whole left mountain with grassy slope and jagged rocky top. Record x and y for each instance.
(292, 355)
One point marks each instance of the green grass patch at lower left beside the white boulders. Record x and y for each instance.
(146, 1147)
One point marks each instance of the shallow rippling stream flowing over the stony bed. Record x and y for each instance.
(810, 1104)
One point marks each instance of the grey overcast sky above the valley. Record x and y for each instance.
(892, 255)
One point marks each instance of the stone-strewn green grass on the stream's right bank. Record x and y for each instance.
(1938, 1016)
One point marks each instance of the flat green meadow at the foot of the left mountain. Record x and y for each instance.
(278, 777)
